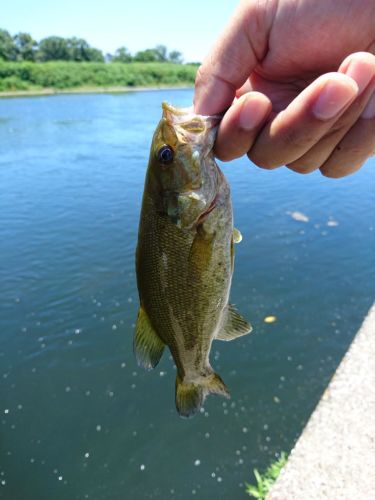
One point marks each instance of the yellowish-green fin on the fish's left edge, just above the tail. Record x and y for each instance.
(148, 347)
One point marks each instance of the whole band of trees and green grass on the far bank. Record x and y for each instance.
(70, 63)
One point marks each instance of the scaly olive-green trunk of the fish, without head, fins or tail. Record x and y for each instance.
(184, 278)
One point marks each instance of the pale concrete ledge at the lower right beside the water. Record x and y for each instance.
(335, 455)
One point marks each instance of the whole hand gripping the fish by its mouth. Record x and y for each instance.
(297, 81)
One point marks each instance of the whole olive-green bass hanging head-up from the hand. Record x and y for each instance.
(185, 257)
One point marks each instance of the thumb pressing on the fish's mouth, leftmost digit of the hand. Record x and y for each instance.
(232, 59)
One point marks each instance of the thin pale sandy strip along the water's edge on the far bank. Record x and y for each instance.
(90, 90)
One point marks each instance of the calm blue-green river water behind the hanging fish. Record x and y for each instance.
(78, 418)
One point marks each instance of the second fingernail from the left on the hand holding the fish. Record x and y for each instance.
(333, 99)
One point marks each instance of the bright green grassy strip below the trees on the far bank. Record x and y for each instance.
(60, 75)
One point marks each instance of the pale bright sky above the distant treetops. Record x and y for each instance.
(190, 26)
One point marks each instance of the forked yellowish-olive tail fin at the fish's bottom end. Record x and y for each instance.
(190, 396)
